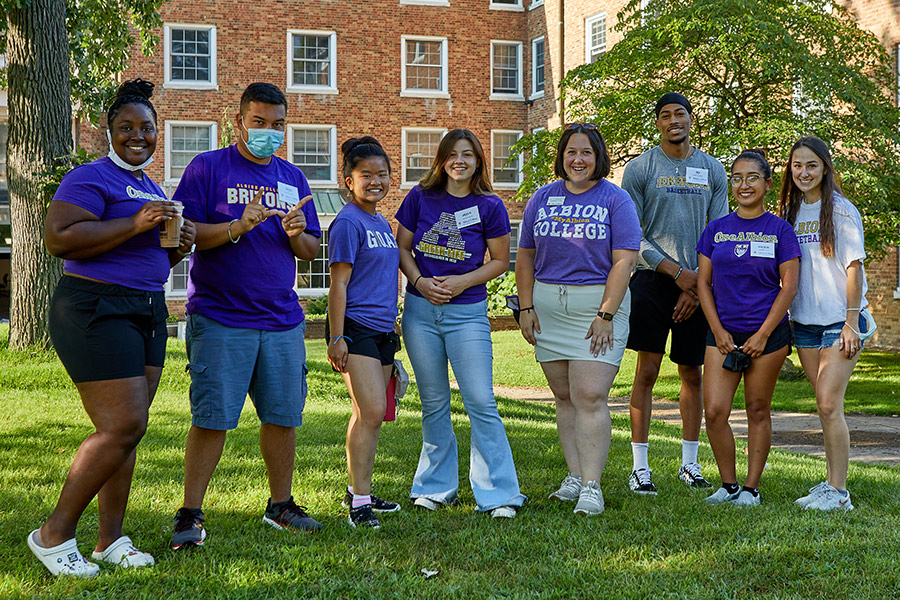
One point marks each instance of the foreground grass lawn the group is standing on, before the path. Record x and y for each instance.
(670, 546)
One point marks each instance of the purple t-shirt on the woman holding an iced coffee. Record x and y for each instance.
(110, 192)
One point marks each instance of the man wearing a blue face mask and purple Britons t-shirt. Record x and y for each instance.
(245, 325)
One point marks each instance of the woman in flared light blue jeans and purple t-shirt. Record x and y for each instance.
(447, 225)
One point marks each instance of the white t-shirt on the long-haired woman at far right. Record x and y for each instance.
(822, 296)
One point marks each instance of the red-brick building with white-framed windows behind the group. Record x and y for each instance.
(404, 71)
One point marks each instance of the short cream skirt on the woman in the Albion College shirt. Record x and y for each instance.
(565, 313)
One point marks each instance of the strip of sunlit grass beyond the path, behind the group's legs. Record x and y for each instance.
(872, 390)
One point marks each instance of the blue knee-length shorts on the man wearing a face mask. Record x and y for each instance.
(228, 363)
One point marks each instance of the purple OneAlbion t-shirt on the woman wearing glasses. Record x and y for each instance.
(746, 255)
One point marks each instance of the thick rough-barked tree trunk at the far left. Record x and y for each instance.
(40, 129)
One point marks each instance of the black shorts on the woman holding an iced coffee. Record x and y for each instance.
(103, 331)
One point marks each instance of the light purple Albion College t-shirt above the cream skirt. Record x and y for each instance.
(573, 235)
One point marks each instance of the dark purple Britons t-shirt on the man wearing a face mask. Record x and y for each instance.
(251, 283)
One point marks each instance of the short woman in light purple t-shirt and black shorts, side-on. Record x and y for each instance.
(362, 310)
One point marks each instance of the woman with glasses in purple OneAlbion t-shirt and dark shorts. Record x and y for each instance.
(749, 264)
